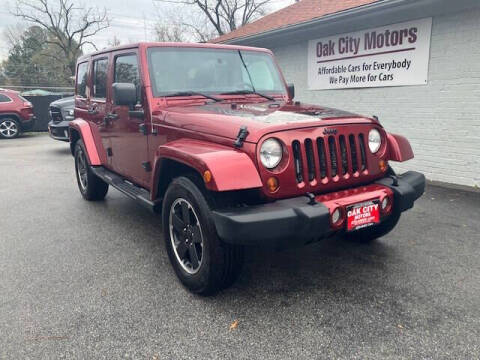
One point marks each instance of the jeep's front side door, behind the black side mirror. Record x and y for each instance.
(129, 144)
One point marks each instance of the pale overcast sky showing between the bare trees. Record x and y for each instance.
(131, 20)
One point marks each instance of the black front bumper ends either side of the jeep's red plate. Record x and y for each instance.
(294, 221)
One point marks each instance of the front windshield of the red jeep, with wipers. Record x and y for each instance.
(212, 71)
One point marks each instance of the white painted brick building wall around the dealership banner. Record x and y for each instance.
(441, 119)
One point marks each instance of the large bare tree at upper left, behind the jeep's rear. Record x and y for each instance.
(69, 27)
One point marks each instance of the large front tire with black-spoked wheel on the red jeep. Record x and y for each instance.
(203, 263)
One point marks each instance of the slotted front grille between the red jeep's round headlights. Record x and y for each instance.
(332, 157)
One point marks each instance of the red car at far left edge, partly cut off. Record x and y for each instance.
(16, 114)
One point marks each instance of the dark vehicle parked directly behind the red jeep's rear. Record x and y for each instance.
(61, 113)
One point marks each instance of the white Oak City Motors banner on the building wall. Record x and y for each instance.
(392, 55)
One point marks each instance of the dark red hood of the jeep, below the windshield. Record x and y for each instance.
(225, 119)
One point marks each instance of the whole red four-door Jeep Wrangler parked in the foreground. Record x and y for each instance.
(210, 135)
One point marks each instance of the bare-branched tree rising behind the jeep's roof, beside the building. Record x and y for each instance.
(222, 15)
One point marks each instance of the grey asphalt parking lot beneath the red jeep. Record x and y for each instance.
(92, 280)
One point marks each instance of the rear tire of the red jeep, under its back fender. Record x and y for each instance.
(91, 186)
